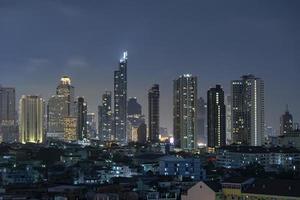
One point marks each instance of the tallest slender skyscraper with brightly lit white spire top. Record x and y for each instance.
(120, 101)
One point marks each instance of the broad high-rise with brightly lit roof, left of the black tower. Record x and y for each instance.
(184, 111)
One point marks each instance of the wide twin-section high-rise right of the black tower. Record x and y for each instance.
(248, 111)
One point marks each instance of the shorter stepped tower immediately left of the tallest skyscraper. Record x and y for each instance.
(105, 118)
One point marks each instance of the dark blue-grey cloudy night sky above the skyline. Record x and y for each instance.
(218, 41)
